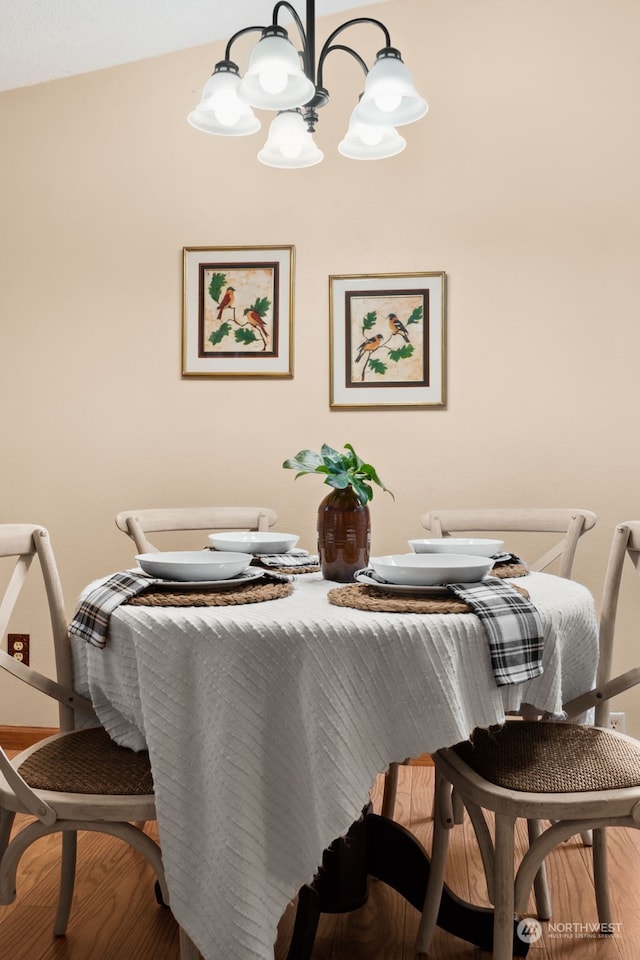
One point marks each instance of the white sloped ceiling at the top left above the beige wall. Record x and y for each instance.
(44, 40)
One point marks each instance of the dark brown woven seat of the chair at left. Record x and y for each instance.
(88, 762)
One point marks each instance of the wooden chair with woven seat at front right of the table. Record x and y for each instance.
(577, 776)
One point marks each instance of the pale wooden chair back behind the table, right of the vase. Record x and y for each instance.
(569, 522)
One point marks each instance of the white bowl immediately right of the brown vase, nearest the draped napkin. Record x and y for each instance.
(431, 569)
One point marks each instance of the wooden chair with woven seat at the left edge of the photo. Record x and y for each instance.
(77, 779)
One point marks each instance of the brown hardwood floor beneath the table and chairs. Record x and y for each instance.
(115, 915)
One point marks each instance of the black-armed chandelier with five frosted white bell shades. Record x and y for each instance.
(291, 83)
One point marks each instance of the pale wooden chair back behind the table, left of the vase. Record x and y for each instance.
(138, 523)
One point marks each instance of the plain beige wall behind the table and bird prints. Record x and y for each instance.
(521, 184)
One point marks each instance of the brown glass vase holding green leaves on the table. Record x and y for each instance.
(344, 535)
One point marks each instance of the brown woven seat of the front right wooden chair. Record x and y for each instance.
(548, 757)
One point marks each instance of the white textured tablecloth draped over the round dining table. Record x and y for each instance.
(267, 724)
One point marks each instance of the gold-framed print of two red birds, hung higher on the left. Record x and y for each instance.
(237, 316)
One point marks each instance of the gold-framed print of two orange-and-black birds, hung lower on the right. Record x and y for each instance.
(387, 340)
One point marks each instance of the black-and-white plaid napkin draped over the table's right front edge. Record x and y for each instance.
(512, 625)
